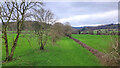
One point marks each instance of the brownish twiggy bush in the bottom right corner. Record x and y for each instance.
(112, 58)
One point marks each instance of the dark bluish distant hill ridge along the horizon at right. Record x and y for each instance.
(107, 26)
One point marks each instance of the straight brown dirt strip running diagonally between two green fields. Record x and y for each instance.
(93, 51)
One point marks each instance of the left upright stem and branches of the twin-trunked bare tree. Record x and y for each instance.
(5, 16)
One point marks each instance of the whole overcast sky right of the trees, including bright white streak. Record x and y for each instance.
(84, 13)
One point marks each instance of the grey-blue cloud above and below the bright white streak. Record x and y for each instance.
(70, 9)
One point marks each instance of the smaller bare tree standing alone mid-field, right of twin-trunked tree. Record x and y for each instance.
(44, 19)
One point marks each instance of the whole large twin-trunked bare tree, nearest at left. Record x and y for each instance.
(17, 12)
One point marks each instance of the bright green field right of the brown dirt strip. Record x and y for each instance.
(98, 42)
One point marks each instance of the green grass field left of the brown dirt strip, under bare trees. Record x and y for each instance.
(66, 52)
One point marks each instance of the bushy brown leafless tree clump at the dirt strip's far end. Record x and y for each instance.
(59, 30)
